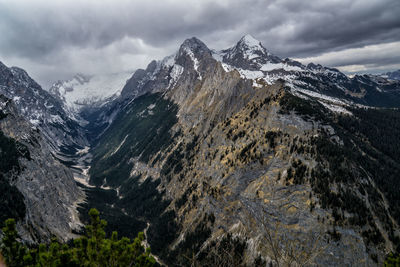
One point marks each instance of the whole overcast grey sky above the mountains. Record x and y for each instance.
(54, 39)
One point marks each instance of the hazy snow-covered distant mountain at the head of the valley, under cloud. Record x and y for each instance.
(84, 90)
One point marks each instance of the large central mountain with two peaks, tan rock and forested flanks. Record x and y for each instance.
(238, 157)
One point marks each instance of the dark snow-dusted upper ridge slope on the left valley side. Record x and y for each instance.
(61, 129)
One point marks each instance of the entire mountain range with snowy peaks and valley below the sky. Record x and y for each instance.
(227, 158)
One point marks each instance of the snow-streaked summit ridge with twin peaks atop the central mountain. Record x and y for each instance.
(254, 62)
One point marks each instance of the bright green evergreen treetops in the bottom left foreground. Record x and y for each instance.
(91, 250)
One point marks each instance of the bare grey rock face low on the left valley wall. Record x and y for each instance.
(50, 192)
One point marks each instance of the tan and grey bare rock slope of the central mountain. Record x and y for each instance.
(235, 174)
